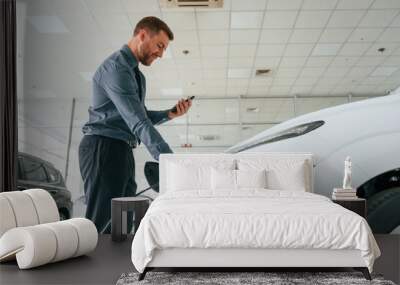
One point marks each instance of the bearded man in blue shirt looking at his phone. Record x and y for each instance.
(119, 120)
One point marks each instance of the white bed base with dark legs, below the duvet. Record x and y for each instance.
(242, 259)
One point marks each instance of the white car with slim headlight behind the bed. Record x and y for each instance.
(368, 131)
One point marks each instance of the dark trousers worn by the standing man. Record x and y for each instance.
(108, 170)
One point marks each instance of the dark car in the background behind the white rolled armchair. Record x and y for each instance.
(34, 172)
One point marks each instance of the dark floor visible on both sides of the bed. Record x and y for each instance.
(110, 260)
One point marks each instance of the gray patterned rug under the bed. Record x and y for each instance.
(243, 278)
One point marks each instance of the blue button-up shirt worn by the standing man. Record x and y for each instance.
(118, 109)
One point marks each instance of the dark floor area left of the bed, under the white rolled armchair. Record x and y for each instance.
(102, 266)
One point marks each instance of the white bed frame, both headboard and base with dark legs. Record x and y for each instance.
(246, 258)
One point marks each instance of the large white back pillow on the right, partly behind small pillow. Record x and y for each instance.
(282, 174)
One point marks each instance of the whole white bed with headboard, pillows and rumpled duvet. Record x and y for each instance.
(202, 220)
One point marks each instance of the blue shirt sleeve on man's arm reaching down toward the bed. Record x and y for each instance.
(123, 92)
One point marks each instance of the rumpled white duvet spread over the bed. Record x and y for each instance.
(250, 219)
